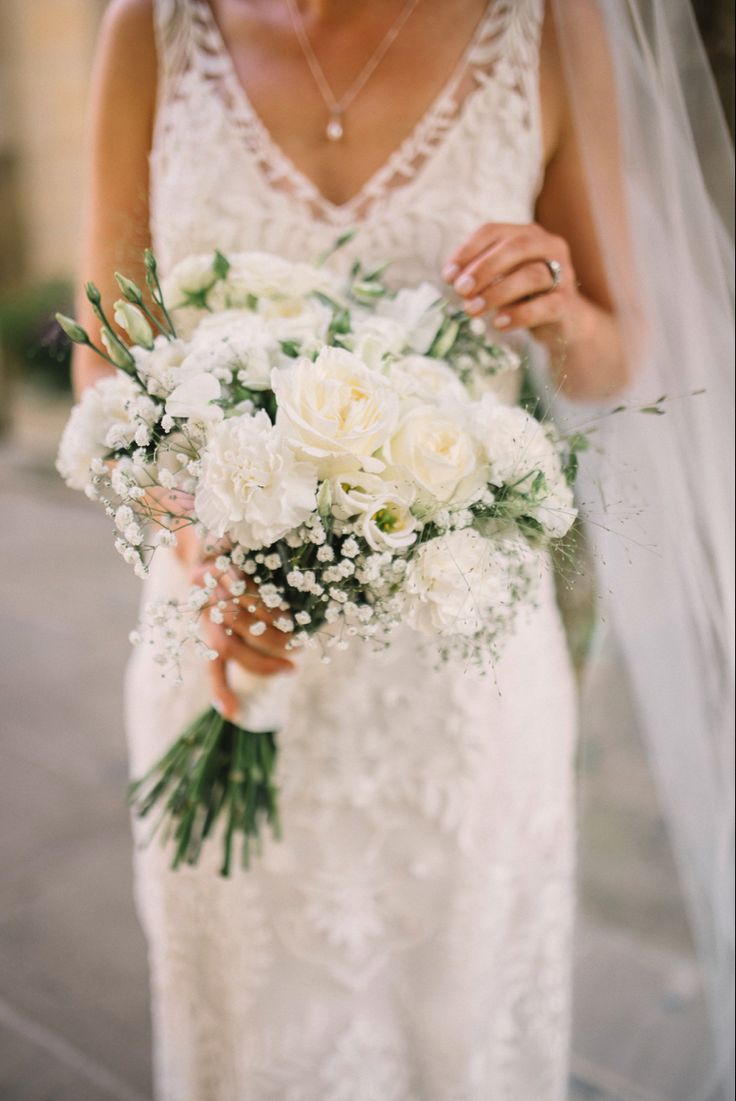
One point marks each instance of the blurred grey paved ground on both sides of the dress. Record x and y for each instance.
(73, 983)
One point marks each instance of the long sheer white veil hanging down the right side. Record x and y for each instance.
(643, 97)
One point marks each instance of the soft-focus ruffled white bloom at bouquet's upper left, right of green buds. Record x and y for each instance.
(236, 341)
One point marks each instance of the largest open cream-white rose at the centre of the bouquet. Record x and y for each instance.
(337, 411)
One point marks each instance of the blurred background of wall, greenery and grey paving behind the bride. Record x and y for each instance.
(74, 1022)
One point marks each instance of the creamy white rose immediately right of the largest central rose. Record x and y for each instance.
(439, 454)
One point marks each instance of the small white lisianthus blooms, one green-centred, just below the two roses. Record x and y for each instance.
(382, 511)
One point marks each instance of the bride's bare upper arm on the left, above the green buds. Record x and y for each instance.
(122, 108)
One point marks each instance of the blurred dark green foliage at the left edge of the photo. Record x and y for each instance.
(31, 339)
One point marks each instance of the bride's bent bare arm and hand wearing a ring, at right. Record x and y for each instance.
(505, 264)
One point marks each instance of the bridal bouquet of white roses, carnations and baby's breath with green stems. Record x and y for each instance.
(349, 467)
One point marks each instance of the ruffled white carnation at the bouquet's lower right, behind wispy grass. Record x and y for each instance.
(454, 584)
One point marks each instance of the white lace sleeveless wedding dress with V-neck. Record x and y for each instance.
(409, 940)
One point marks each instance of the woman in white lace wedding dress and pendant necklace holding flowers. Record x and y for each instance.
(410, 939)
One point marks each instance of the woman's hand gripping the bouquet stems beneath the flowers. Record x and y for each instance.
(264, 653)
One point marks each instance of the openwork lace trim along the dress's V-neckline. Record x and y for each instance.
(275, 155)
